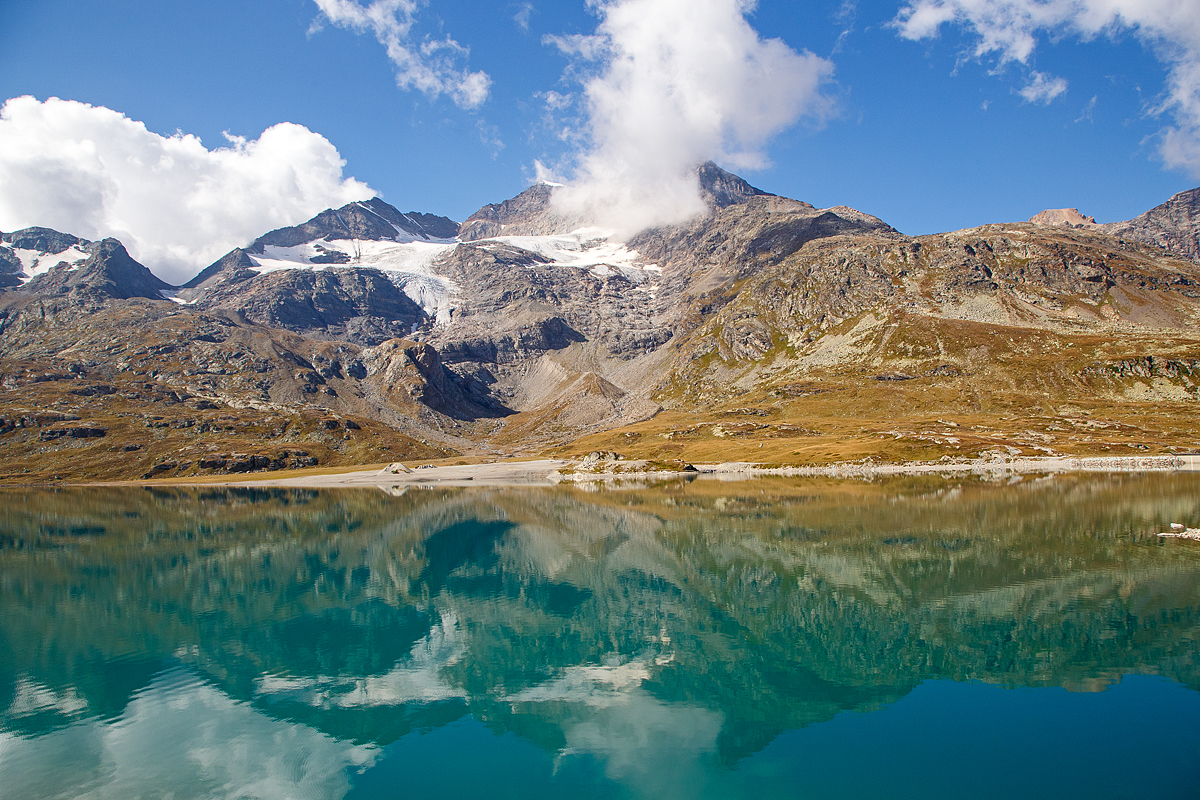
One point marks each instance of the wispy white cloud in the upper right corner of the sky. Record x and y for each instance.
(1010, 29)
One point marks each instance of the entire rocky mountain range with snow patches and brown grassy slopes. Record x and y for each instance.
(766, 330)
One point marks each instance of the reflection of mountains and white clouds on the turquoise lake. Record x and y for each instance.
(283, 643)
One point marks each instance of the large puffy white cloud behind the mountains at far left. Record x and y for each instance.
(176, 204)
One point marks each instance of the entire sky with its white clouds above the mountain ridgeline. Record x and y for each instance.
(189, 128)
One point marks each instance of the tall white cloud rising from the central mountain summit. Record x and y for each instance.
(670, 85)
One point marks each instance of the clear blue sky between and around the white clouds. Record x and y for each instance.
(923, 134)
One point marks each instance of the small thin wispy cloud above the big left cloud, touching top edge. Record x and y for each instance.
(425, 64)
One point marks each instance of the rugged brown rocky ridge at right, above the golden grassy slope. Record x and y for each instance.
(1017, 276)
